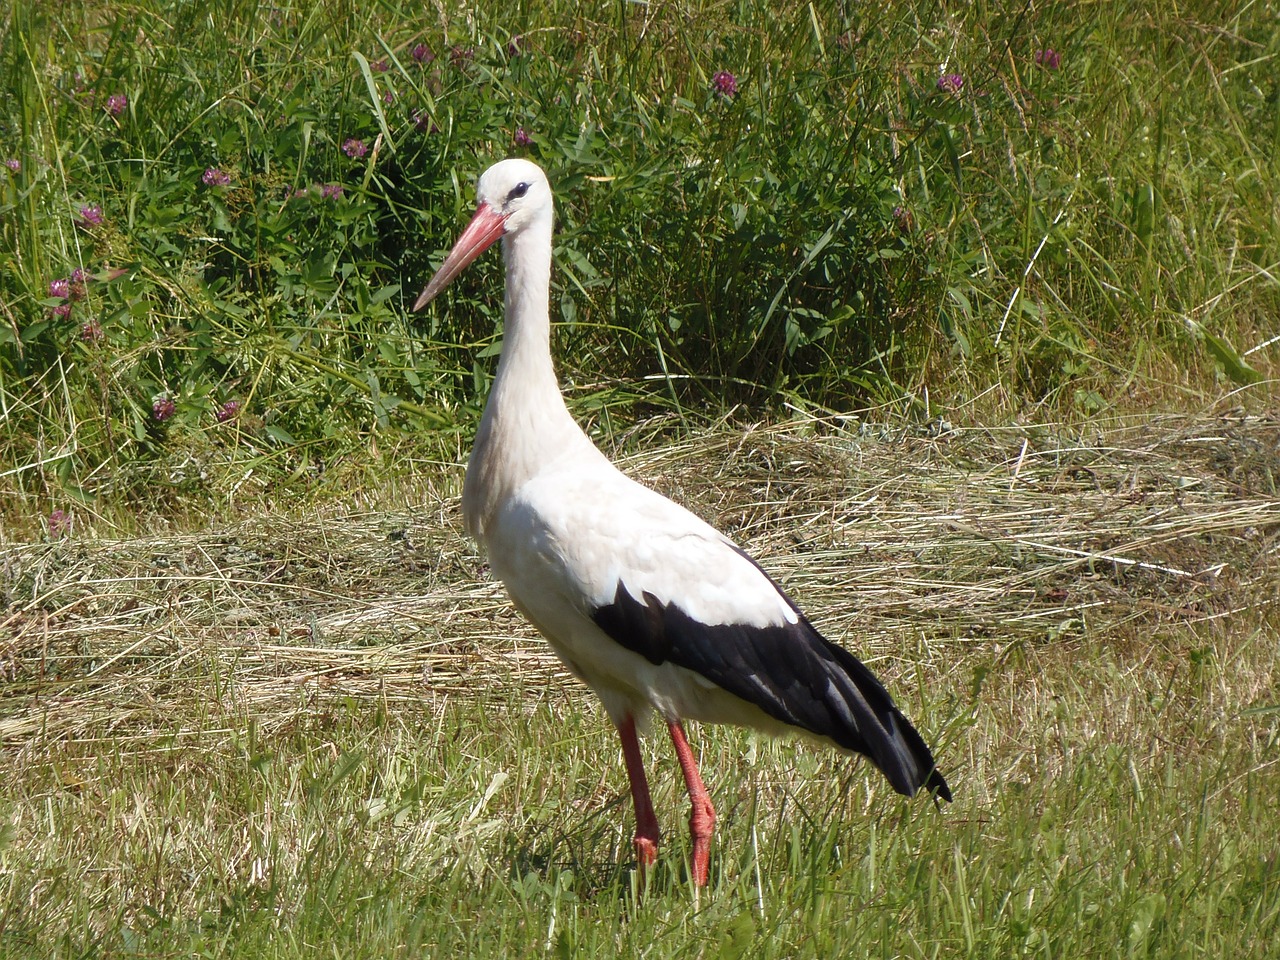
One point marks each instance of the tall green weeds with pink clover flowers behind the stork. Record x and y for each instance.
(214, 217)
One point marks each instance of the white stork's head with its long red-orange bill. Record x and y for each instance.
(511, 196)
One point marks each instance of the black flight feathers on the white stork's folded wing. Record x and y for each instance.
(790, 671)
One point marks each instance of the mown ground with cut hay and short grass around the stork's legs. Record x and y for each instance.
(332, 733)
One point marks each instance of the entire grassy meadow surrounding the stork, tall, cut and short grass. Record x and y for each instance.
(259, 697)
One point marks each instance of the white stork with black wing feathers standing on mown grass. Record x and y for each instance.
(648, 605)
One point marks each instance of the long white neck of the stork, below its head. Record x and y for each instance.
(525, 423)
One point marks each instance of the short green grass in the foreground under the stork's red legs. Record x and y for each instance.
(367, 833)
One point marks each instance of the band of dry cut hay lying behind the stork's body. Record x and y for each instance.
(894, 538)
